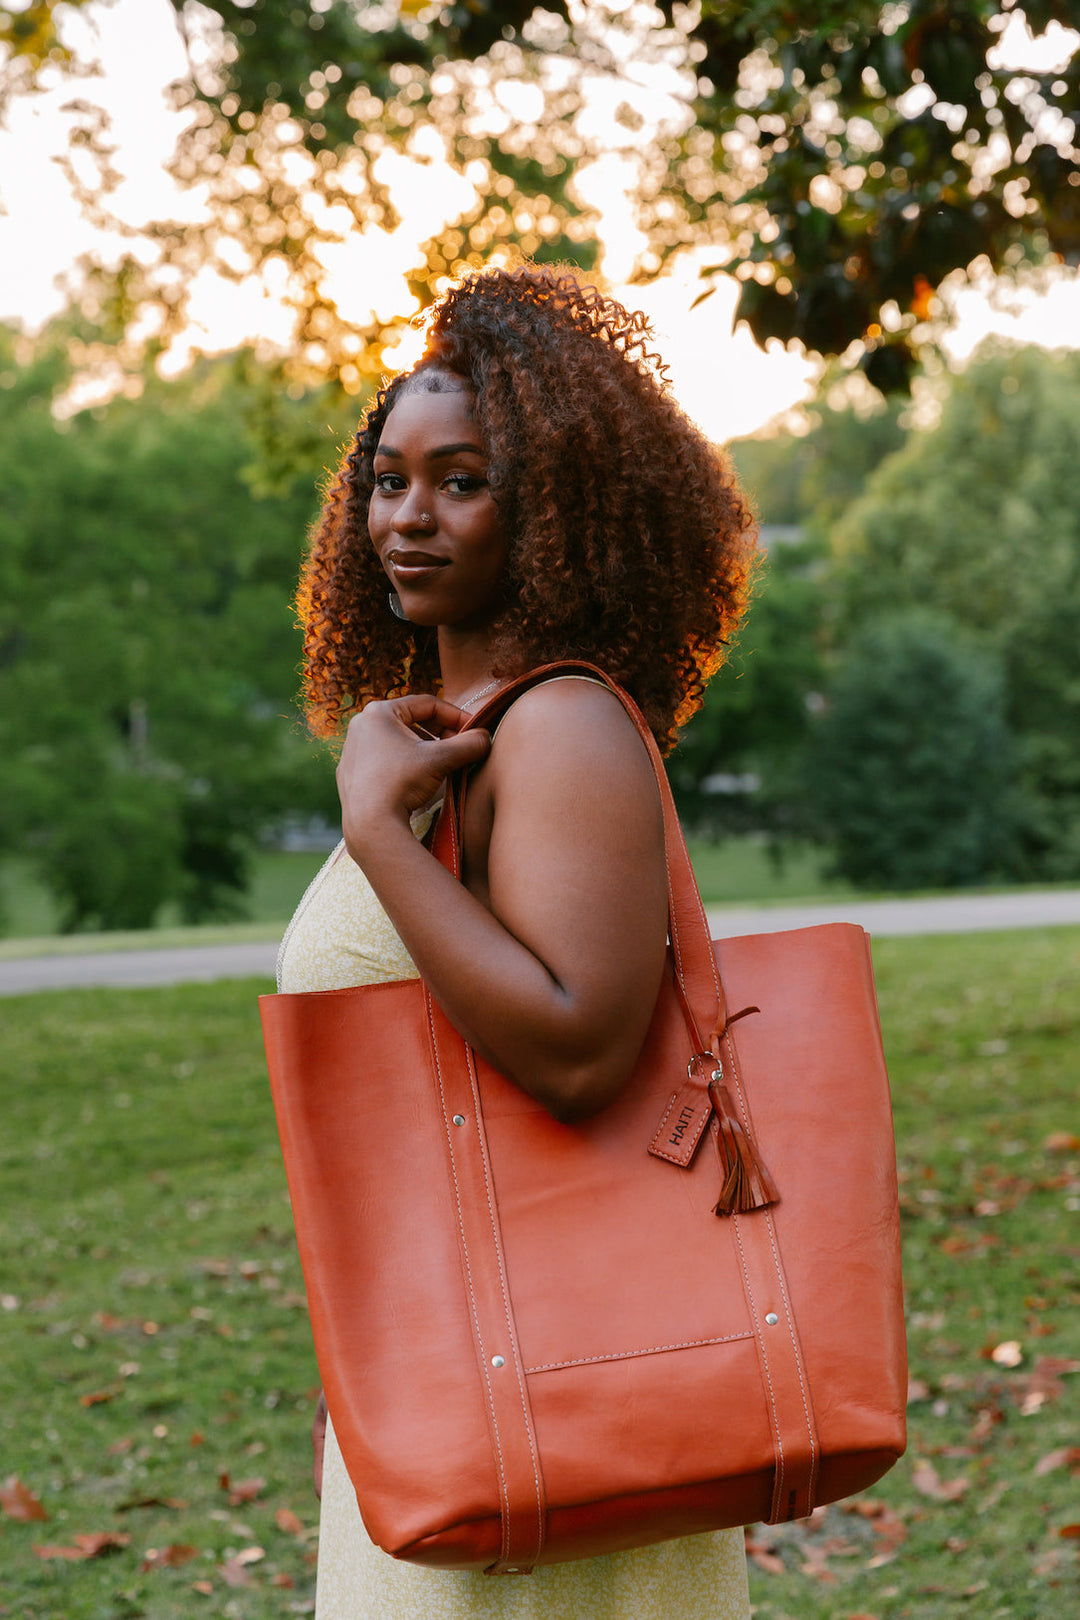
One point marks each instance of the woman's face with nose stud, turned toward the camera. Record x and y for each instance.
(433, 519)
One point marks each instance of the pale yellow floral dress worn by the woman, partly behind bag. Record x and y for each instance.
(341, 937)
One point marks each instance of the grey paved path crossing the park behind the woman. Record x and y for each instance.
(951, 914)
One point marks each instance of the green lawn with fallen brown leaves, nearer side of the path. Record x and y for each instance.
(155, 1341)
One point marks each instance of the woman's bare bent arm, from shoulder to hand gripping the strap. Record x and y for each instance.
(556, 983)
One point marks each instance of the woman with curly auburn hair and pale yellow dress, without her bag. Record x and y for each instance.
(530, 492)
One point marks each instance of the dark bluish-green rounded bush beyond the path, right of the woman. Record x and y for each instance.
(911, 765)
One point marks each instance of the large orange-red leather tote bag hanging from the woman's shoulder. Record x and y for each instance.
(545, 1342)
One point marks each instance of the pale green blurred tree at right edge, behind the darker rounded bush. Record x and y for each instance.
(979, 518)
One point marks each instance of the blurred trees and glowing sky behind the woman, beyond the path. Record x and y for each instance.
(857, 237)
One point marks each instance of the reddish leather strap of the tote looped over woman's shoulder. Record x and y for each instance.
(692, 945)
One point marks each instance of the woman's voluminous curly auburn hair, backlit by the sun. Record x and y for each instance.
(629, 540)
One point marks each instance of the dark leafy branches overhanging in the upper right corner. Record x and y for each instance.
(867, 161)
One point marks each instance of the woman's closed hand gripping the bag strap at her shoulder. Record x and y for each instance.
(396, 761)
